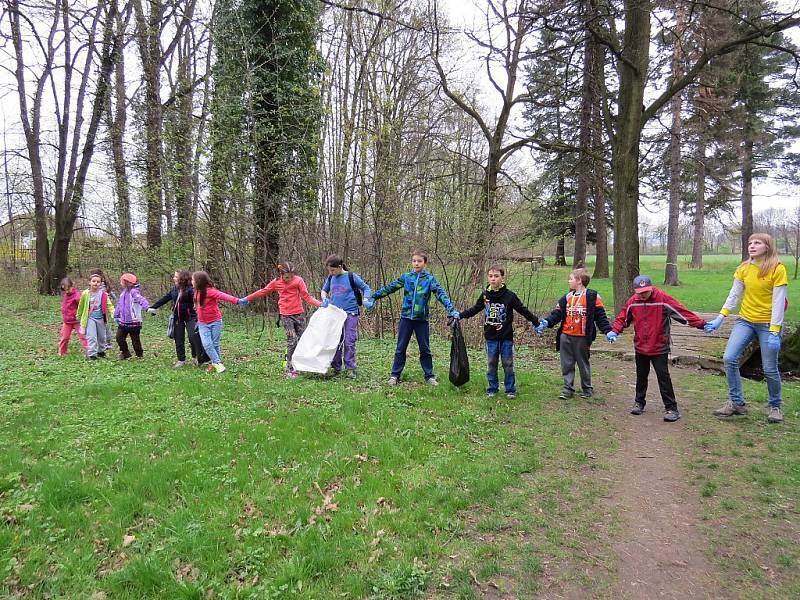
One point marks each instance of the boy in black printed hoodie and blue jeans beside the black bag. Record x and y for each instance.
(498, 304)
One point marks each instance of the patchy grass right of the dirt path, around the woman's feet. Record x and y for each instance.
(747, 475)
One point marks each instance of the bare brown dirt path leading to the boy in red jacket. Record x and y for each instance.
(660, 551)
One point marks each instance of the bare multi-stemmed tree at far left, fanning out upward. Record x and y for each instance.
(74, 145)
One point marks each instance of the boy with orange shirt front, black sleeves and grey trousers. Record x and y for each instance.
(580, 313)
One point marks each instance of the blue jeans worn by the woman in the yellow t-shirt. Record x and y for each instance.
(744, 331)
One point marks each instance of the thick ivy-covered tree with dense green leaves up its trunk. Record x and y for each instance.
(265, 130)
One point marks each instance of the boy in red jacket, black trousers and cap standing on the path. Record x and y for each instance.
(650, 311)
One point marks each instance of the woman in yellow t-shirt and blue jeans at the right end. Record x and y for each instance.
(760, 284)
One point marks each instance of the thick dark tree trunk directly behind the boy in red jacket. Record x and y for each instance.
(625, 168)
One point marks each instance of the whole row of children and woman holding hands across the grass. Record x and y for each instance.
(759, 284)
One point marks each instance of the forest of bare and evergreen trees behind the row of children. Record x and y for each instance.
(229, 135)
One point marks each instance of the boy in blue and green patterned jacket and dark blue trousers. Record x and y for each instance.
(417, 285)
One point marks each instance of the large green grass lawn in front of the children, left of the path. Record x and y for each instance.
(134, 480)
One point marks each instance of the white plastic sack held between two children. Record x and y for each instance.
(317, 345)
